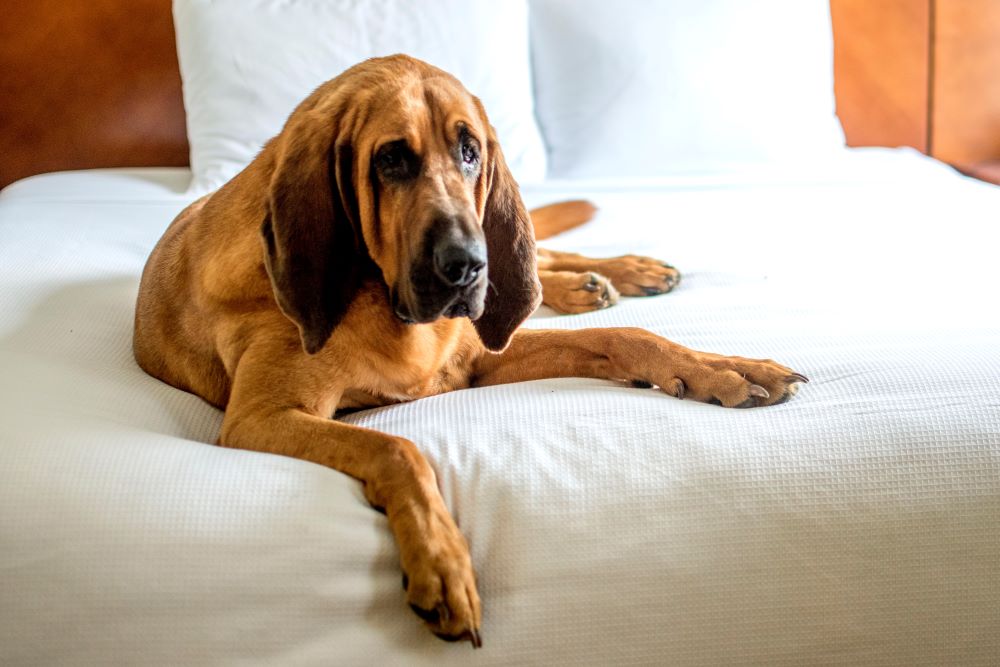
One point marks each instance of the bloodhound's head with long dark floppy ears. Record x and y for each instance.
(394, 163)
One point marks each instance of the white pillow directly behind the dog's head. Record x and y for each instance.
(245, 64)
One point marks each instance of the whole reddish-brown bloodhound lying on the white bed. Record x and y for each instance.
(376, 251)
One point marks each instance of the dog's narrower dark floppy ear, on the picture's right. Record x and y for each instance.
(514, 291)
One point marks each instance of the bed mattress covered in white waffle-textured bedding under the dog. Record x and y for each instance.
(857, 524)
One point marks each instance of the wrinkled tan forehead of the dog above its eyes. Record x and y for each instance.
(426, 112)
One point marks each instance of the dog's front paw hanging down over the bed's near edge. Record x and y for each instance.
(439, 580)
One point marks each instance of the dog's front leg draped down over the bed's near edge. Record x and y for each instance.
(437, 569)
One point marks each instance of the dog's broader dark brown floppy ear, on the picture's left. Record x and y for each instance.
(312, 248)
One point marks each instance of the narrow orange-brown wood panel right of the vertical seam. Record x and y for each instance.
(966, 113)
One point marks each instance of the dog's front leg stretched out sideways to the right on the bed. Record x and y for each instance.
(642, 358)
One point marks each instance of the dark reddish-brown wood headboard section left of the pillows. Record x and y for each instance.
(88, 83)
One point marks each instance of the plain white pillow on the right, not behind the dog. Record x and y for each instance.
(634, 88)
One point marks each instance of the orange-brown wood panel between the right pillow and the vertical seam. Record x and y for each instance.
(881, 59)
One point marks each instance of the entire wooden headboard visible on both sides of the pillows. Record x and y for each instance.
(95, 83)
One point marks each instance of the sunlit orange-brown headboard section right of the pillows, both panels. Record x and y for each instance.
(923, 73)
